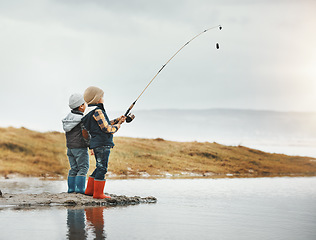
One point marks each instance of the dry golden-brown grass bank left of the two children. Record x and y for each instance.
(31, 153)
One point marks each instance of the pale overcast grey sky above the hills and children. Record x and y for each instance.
(52, 48)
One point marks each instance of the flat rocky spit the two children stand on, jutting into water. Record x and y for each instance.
(69, 199)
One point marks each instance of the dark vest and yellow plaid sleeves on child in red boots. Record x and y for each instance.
(99, 128)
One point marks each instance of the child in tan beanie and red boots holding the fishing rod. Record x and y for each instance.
(101, 130)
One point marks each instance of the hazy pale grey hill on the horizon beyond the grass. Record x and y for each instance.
(223, 125)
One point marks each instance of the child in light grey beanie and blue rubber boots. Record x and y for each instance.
(77, 143)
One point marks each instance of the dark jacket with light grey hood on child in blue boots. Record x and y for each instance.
(73, 127)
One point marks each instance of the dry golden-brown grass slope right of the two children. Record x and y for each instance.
(156, 157)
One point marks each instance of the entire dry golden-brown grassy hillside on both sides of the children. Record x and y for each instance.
(31, 153)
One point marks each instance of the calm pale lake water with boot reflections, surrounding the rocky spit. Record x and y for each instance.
(243, 208)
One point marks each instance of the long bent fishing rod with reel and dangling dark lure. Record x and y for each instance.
(128, 115)
